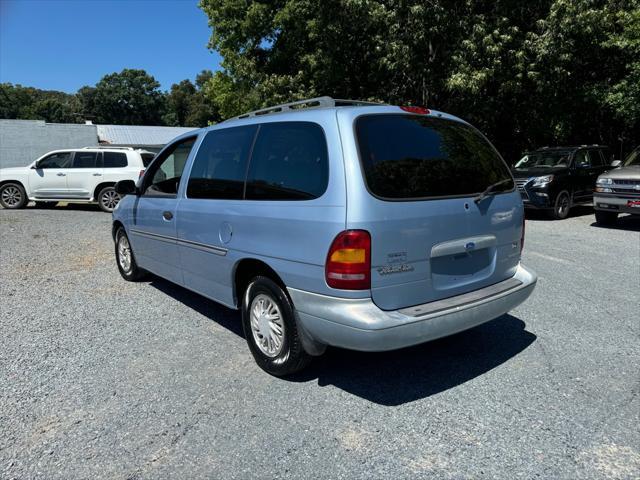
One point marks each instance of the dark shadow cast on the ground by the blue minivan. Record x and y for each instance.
(391, 378)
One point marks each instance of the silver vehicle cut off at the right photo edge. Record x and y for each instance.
(618, 190)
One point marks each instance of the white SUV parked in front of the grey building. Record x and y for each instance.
(79, 176)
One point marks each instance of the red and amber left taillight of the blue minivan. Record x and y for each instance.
(348, 264)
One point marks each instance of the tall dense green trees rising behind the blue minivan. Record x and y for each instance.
(526, 73)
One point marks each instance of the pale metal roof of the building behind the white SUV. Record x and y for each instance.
(138, 134)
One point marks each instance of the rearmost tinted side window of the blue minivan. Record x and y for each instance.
(289, 162)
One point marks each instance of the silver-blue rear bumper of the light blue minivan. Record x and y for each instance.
(358, 324)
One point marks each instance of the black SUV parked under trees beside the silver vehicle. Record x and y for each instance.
(557, 178)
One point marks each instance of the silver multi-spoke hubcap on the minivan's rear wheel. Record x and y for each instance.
(267, 325)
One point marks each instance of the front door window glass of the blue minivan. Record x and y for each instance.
(163, 176)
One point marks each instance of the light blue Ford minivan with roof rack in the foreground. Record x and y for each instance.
(332, 222)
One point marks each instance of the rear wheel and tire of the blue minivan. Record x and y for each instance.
(270, 328)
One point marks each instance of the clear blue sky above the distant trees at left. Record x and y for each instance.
(66, 44)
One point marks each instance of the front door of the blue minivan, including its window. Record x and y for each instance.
(153, 232)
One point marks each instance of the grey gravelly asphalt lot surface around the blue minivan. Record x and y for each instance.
(100, 378)
